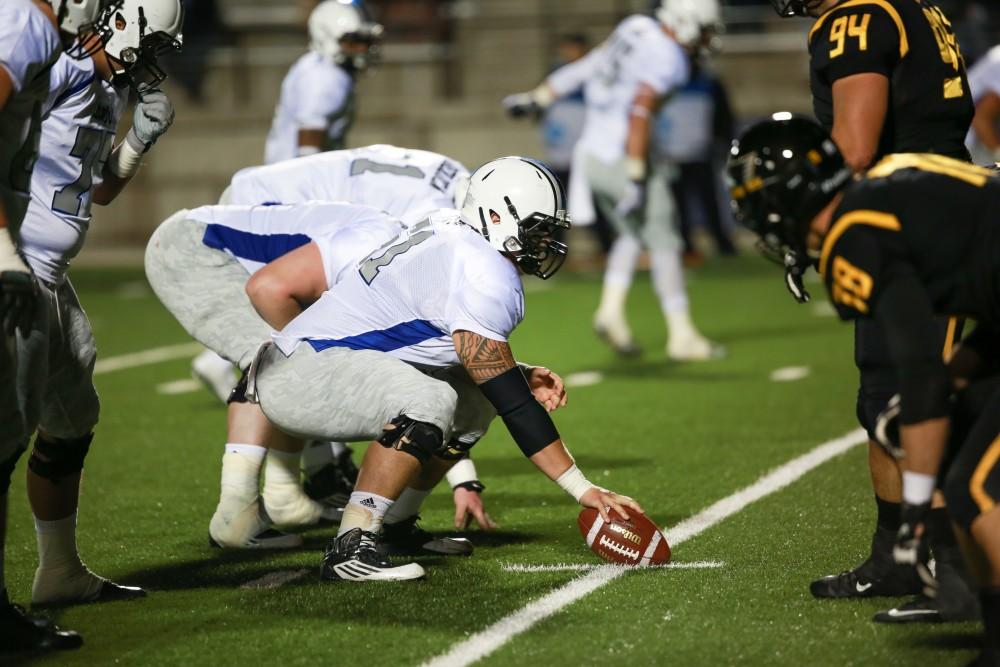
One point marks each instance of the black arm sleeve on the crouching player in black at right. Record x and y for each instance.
(904, 310)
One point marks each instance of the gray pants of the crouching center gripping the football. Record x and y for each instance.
(346, 395)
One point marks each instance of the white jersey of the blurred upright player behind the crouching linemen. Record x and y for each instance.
(317, 94)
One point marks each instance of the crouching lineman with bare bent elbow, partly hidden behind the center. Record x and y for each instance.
(202, 263)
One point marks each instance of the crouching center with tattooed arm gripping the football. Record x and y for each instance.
(410, 351)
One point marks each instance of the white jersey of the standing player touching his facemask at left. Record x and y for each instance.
(79, 122)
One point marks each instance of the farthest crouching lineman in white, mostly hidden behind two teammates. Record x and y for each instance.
(407, 184)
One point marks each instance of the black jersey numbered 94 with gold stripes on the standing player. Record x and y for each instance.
(911, 43)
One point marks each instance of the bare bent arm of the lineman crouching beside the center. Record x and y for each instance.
(282, 289)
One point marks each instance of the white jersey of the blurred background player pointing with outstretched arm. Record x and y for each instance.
(637, 52)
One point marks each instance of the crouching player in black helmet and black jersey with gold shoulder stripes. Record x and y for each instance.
(885, 255)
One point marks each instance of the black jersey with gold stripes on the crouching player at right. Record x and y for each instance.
(926, 220)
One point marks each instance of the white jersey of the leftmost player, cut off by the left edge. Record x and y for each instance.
(29, 44)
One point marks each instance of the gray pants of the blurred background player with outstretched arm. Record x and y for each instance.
(655, 225)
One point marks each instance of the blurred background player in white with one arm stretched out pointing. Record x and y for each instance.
(625, 79)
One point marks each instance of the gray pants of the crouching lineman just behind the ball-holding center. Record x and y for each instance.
(204, 289)
